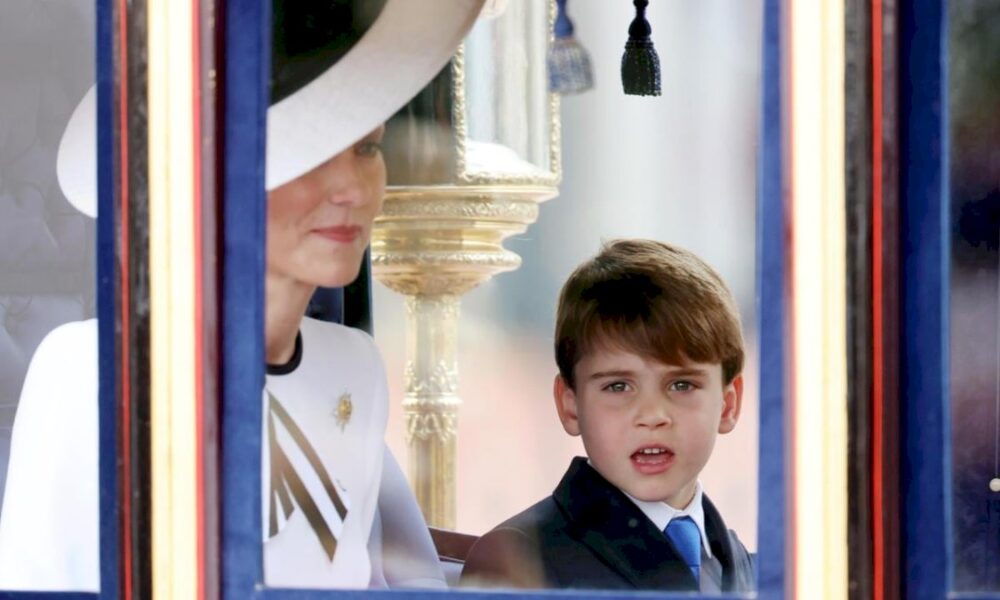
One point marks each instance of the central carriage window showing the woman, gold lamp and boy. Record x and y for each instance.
(471, 164)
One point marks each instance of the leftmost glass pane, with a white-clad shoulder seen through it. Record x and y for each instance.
(48, 352)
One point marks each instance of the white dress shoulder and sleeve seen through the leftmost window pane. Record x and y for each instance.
(49, 523)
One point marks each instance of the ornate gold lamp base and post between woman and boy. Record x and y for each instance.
(434, 244)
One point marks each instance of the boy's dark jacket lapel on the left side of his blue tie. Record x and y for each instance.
(616, 531)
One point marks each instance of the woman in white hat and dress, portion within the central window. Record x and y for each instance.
(326, 397)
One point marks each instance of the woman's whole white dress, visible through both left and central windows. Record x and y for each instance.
(49, 538)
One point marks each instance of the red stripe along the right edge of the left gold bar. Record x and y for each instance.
(199, 324)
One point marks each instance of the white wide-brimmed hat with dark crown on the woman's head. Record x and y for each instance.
(325, 95)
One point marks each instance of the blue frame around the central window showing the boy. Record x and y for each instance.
(247, 33)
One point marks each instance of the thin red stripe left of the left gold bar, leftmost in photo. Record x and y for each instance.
(125, 410)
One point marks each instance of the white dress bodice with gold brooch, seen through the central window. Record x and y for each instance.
(338, 367)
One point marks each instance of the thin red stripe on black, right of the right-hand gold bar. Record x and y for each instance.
(878, 367)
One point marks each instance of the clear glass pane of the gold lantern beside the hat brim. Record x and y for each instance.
(495, 123)
